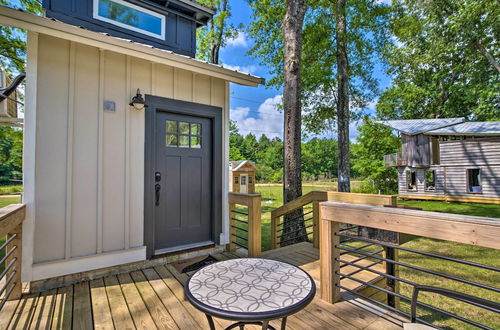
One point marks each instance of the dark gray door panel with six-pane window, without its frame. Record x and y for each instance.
(183, 187)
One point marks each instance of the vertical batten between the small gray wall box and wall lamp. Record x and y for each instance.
(126, 230)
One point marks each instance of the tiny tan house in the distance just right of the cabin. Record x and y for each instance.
(242, 176)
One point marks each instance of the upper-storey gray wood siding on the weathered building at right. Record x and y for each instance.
(485, 152)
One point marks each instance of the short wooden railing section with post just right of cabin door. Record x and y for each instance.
(245, 223)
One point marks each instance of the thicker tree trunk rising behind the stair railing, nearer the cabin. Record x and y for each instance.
(293, 228)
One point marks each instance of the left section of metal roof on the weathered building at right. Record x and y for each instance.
(417, 126)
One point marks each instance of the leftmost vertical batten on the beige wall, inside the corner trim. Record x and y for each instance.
(69, 149)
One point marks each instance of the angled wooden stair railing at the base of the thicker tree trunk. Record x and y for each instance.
(314, 198)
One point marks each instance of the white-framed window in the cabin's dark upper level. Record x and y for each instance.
(131, 17)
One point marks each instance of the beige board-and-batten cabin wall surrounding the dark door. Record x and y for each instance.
(89, 163)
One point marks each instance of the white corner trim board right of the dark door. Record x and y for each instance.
(225, 160)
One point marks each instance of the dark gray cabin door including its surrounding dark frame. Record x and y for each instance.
(183, 175)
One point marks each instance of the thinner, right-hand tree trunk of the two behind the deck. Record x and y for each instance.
(344, 174)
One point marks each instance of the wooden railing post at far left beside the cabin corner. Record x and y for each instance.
(16, 254)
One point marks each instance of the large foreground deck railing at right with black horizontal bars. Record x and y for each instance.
(477, 231)
